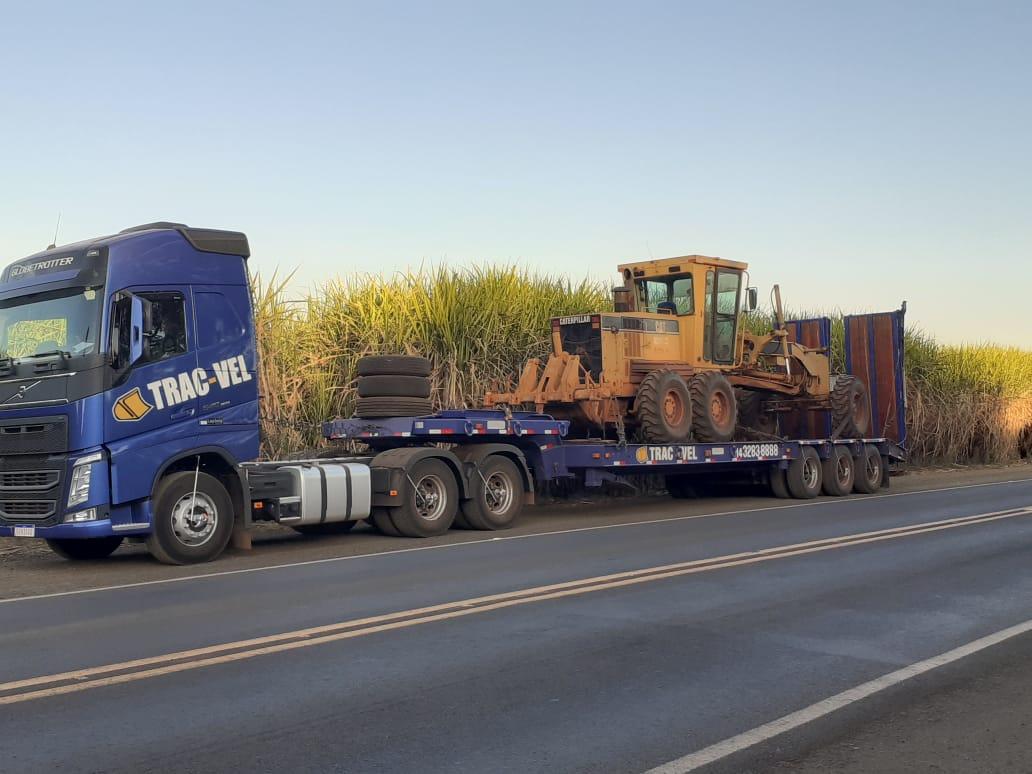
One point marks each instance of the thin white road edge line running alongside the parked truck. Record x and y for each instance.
(331, 560)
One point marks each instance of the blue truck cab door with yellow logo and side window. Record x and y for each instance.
(153, 401)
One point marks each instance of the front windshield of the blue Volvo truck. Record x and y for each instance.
(66, 321)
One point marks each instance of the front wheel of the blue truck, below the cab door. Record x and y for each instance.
(174, 539)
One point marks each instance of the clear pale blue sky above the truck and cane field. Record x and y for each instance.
(858, 153)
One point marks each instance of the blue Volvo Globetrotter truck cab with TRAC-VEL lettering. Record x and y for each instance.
(127, 363)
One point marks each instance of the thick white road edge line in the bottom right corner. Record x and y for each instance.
(826, 707)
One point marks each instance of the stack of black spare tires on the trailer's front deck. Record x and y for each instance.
(394, 386)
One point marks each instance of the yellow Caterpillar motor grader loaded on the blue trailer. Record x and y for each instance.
(675, 363)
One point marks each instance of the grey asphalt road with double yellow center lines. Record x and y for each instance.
(604, 647)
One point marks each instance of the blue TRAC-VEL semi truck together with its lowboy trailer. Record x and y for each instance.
(130, 410)
